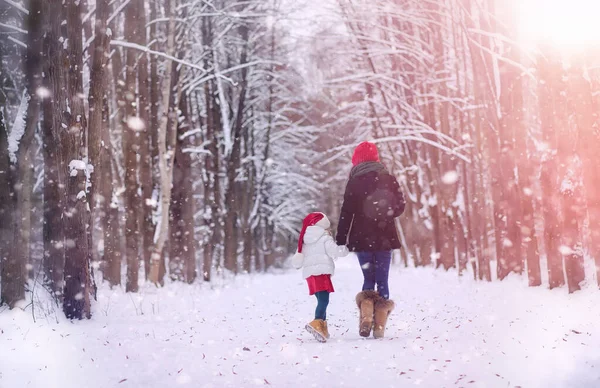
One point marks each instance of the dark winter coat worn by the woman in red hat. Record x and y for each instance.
(371, 202)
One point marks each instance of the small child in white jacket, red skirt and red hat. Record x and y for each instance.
(316, 251)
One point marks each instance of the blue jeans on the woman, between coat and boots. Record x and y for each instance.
(376, 270)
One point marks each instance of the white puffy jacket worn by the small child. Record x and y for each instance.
(318, 251)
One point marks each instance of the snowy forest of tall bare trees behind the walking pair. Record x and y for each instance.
(151, 142)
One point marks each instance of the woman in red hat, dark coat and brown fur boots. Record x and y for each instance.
(372, 201)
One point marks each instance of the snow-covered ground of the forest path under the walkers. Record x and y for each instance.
(445, 332)
